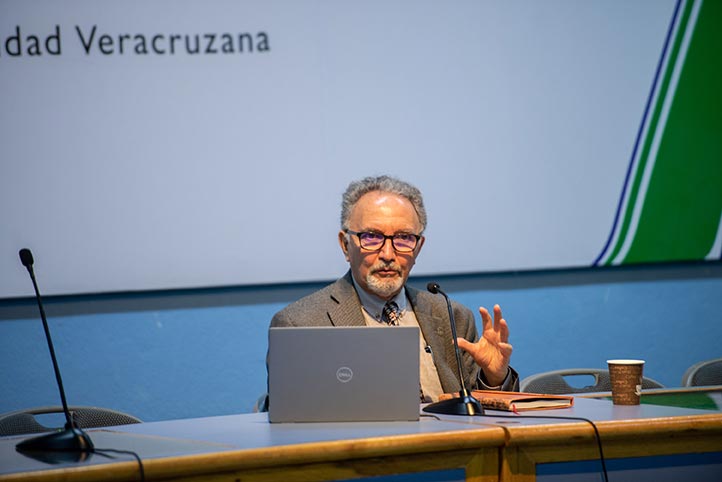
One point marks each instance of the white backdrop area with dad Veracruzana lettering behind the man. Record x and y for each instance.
(126, 171)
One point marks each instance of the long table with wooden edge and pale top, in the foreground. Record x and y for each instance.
(248, 448)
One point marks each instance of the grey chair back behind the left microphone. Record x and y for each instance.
(24, 421)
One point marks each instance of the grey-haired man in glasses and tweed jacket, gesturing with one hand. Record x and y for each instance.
(382, 225)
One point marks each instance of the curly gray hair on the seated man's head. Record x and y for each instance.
(357, 189)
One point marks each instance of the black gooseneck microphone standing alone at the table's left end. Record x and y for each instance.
(71, 439)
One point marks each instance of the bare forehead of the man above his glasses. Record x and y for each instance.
(384, 211)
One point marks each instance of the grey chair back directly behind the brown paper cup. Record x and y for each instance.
(554, 382)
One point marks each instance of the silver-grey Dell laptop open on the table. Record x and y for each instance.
(339, 374)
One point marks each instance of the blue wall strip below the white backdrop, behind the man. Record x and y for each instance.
(199, 361)
